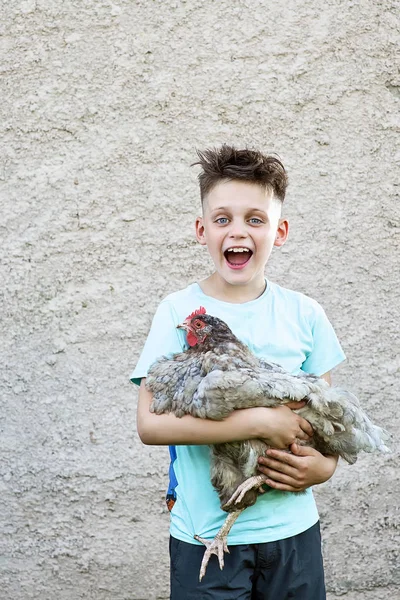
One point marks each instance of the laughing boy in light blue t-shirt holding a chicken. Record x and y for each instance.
(275, 546)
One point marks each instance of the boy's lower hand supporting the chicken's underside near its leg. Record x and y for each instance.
(297, 471)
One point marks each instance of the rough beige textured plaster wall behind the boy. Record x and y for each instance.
(103, 104)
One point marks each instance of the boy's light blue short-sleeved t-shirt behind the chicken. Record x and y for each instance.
(281, 326)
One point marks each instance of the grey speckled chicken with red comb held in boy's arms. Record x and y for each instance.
(219, 374)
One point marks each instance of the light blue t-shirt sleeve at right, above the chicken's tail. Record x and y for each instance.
(326, 350)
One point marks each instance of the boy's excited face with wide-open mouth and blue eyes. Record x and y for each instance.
(241, 223)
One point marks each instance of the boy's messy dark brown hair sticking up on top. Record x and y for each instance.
(229, 163)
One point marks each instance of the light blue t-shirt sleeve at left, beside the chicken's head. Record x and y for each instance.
(164, 339)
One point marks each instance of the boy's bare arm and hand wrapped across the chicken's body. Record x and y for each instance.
(278, 426)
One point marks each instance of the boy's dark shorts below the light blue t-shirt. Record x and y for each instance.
(289, 568)
